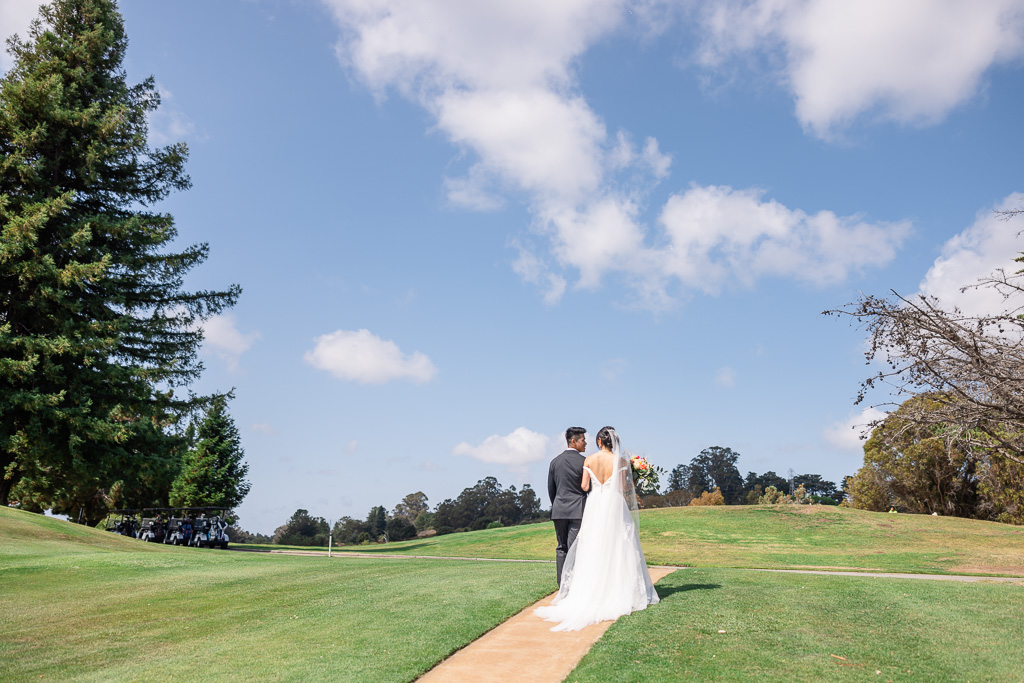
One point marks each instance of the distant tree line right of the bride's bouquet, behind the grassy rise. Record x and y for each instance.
(713, 479)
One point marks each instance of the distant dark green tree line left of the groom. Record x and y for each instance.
(486, 505)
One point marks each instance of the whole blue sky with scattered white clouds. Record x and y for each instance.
(461, 228)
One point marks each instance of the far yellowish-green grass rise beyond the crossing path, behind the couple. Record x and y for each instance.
(772, 537)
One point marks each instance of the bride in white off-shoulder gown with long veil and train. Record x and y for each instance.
(606, 575)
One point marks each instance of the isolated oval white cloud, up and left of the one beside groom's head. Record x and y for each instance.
(363, 357)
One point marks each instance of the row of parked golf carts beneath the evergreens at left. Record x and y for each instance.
(200, 528)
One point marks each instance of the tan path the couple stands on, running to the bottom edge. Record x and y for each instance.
(524, 649)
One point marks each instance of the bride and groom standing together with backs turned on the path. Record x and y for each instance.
(603, 574)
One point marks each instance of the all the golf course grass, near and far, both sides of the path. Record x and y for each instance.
(81, 605)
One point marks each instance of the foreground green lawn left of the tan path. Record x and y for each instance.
(87, 606)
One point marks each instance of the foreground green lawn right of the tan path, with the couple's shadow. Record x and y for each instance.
(789, 627)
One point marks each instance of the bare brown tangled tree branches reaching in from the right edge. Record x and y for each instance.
(971, 366)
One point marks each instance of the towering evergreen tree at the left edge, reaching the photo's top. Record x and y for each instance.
(98, 336)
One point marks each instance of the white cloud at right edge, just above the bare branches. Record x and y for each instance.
(991, 243)
